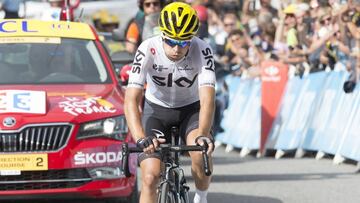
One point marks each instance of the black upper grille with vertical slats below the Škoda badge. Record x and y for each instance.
(35, 138)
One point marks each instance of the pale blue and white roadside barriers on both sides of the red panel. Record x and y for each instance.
(315, 114)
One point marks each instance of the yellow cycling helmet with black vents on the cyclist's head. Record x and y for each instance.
(178, 21)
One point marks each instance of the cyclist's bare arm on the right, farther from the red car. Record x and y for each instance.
(207, 109)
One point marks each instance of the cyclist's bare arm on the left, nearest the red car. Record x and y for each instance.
(133, 97)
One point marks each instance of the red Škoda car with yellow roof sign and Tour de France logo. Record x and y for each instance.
(61, 114)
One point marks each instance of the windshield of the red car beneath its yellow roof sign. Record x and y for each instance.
(51, 61)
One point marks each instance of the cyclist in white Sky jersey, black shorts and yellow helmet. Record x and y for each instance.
(178, 69)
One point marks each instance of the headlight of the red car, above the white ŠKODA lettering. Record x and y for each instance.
(115, 128)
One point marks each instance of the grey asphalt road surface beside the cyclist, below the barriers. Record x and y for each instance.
(268, 180)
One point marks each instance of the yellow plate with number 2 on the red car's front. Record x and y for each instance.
(23, 162)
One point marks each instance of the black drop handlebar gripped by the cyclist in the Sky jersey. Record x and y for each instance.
(164, 147)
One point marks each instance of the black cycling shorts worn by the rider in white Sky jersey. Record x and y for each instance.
(159, 120)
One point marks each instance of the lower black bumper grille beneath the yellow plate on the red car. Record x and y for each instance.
(40, 180)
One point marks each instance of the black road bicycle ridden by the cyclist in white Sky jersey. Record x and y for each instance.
(172, 187)
